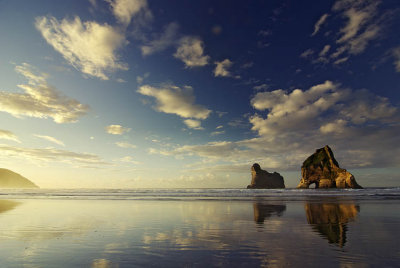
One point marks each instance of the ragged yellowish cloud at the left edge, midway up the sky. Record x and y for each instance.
(40, 99)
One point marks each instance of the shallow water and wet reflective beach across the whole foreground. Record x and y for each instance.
(198, 228)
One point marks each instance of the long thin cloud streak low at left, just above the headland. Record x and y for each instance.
(50, 155)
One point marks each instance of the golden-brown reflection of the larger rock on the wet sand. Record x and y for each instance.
(330, 220)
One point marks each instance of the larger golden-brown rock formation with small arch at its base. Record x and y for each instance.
(322, 169)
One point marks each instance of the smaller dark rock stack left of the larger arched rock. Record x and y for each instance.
(262, 179)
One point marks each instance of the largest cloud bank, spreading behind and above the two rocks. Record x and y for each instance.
(360, 126)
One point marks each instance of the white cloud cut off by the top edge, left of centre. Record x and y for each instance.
(125, 10)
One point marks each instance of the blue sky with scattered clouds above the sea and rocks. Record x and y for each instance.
(161, 94)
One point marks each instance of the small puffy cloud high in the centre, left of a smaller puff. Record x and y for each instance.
(191, 52)
